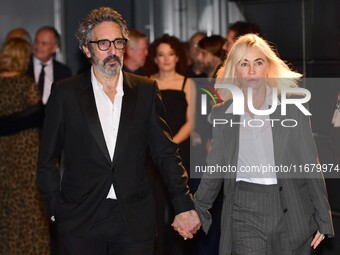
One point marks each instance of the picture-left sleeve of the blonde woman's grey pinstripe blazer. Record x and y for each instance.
(210, 186)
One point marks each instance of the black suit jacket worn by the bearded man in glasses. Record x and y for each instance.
(72, 126)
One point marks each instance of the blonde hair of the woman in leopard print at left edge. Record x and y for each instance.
(15, 56)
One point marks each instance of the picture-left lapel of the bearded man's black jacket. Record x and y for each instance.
(88, 104)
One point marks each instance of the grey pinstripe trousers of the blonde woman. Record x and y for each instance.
(258, 222)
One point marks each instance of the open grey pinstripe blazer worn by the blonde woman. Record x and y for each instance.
(304, 198)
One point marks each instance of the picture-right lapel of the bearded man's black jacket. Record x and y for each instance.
(128, 108)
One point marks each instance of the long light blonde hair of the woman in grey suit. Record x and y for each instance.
(279, 74)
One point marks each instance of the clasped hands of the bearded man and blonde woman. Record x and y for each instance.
(187, 224)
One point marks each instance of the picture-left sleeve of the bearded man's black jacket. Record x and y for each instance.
(50, 151)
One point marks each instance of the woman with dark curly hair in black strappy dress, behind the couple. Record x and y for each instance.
(168, 69)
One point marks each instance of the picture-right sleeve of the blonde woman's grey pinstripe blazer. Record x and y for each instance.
(315, 180)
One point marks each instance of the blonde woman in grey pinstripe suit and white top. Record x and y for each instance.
(269, 212)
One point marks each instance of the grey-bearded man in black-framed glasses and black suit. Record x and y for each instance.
(103, 121)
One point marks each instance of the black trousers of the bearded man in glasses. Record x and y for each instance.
(108, 236)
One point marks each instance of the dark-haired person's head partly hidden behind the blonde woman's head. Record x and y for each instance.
(236, 30)
